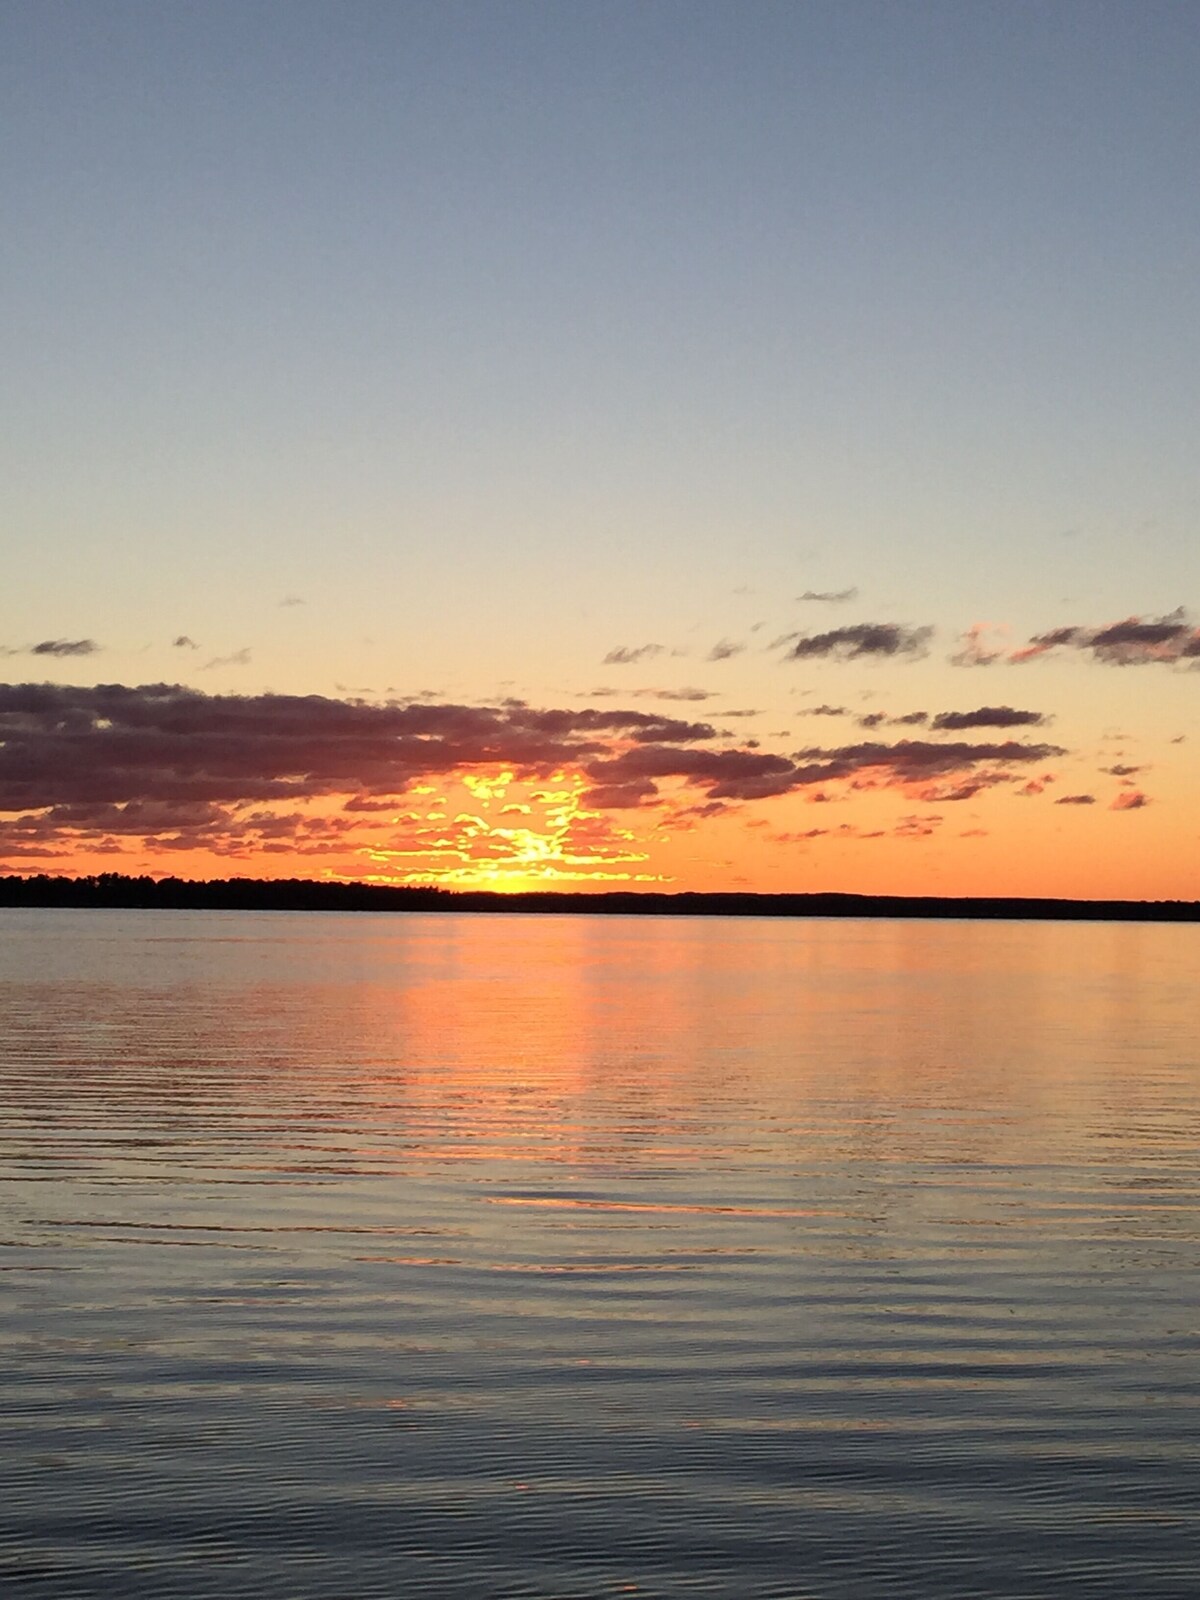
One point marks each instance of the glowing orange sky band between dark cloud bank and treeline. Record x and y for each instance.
(490, 830)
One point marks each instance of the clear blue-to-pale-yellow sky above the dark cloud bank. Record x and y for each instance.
(503, 335)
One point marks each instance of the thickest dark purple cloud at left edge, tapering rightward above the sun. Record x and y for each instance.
(114, 746)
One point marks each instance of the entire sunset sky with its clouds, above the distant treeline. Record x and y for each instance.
(602, 444)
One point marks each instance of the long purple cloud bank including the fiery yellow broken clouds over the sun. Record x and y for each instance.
(177, 769)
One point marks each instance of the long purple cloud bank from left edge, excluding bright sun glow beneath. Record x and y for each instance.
(188, 769)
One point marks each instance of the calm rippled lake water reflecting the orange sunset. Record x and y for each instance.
(353, 1257)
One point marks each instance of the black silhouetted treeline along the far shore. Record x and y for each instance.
(118, 892)
